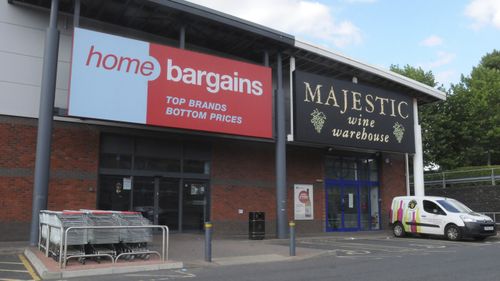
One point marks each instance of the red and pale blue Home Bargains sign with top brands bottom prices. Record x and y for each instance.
(121, 79)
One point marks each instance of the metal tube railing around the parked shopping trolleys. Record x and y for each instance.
(63, 243)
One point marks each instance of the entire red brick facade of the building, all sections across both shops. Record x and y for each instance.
(242, 178)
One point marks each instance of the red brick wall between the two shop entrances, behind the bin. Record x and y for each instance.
(243, 177)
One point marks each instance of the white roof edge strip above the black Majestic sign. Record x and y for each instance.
(374, 70)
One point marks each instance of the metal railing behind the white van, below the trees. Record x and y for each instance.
(471, 176)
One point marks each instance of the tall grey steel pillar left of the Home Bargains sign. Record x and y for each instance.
(44, 135)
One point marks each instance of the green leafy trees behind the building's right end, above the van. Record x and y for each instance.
(464, 130)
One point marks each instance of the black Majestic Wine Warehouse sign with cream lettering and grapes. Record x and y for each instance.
(340, 113)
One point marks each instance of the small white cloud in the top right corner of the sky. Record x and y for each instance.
(484, 13)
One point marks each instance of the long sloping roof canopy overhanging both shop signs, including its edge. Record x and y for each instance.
(235, 37)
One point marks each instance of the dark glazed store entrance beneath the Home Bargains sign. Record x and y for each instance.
(166, 180)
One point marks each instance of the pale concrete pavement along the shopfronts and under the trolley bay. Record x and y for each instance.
(187, 250)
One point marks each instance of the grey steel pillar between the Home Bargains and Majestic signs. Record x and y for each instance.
(281, 192)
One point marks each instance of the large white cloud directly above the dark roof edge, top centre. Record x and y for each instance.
(304, 19)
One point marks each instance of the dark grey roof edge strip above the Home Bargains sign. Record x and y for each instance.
(221, 17)
